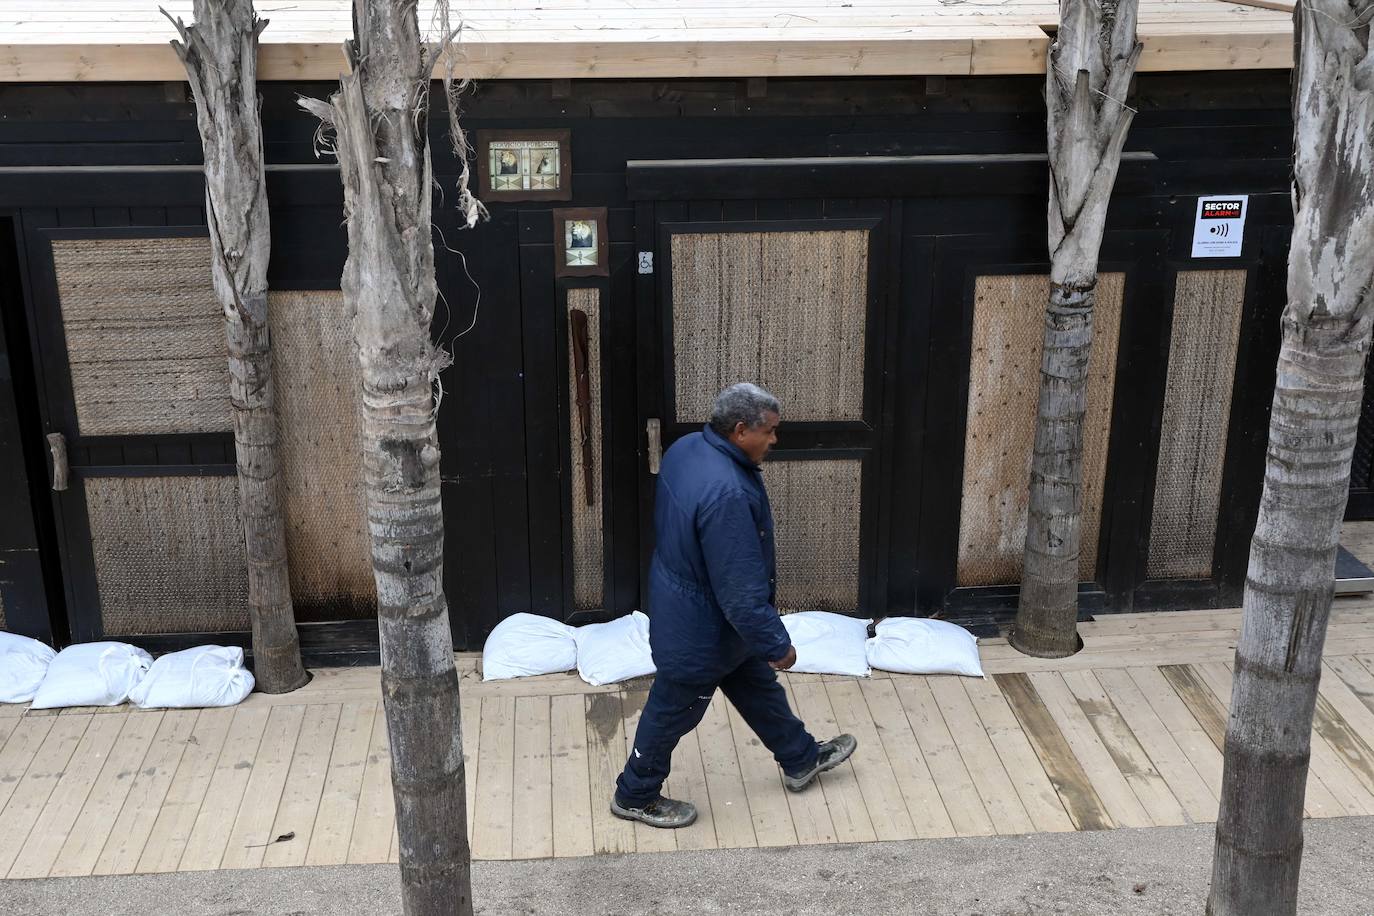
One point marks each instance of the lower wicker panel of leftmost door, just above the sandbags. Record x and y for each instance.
(168, 554)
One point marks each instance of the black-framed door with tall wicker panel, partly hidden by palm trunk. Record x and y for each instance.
(979, 403)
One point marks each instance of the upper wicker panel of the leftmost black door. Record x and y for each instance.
(145, 336)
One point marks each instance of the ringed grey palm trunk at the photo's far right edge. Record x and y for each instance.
(1313, 431)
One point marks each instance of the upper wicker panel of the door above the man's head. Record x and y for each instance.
(784, 310)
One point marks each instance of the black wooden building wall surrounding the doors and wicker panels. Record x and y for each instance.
(124, 156)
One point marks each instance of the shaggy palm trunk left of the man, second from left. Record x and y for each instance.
(380, 120)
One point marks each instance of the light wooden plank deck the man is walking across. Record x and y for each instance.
(1126, 734)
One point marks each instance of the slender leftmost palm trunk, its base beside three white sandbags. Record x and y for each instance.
(221, 57)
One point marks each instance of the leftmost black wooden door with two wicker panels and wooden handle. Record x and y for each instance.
(135, 389)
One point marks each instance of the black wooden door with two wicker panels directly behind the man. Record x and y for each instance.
(793, 296)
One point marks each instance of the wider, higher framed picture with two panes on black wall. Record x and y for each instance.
(526, 165)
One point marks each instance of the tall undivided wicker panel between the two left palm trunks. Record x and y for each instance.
(318, 393)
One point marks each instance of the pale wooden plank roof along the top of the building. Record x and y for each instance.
(127, 41)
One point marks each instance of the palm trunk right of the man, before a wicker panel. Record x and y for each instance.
(1089, 73)
